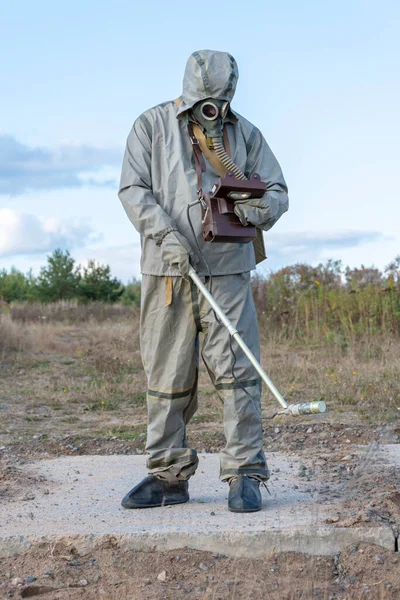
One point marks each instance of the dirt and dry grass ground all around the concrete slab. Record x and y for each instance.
(68, 390)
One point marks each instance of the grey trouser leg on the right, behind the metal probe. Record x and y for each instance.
(243, 453)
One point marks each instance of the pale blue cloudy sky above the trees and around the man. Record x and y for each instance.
(319, 79)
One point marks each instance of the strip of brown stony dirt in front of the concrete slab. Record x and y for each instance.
(362, 571)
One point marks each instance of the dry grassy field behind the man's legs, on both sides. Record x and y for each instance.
(87, 379)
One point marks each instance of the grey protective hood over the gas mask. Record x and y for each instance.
(208, 74)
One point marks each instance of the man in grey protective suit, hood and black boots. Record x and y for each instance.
(158, 182)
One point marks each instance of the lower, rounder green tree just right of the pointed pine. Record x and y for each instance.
(96, 283)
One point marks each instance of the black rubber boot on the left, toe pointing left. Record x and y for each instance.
(152, 492)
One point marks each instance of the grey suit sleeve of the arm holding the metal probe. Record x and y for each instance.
(135, 191)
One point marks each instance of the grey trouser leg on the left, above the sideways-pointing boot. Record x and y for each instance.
(169, 347)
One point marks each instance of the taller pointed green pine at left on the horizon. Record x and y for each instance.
(59, 280)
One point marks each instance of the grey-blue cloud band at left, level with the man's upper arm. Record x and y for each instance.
(24, 168)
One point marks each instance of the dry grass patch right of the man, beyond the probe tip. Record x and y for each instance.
(358, 381)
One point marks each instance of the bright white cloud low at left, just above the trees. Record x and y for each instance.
(22, 233)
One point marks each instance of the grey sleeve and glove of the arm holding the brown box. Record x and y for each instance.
(266, 211)
